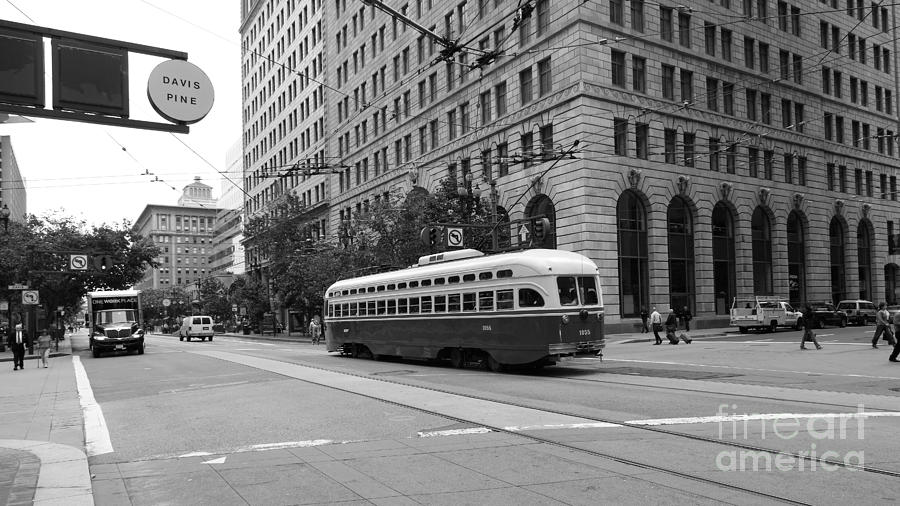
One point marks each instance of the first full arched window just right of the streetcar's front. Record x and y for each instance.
(634, 283)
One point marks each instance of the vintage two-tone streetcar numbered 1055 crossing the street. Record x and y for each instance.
(525, 308)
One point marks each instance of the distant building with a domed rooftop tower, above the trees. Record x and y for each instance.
(184, 235)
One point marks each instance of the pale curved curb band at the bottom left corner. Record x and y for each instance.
(64, 477)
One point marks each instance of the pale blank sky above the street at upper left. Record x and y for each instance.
(99, 174)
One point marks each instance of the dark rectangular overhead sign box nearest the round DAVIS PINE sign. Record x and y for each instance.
(90, 78)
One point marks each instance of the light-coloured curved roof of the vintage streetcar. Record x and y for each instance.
(533, 262)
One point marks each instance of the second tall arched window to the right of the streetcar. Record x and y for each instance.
(681, 255)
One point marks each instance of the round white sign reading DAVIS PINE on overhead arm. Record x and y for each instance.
(180, 92)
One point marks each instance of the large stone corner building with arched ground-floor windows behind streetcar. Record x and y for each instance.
(694, 159)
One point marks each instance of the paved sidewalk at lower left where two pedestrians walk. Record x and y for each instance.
(41, 432)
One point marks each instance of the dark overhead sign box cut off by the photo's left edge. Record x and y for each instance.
(21, 68)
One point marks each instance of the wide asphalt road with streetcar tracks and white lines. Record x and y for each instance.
(237, 421)
